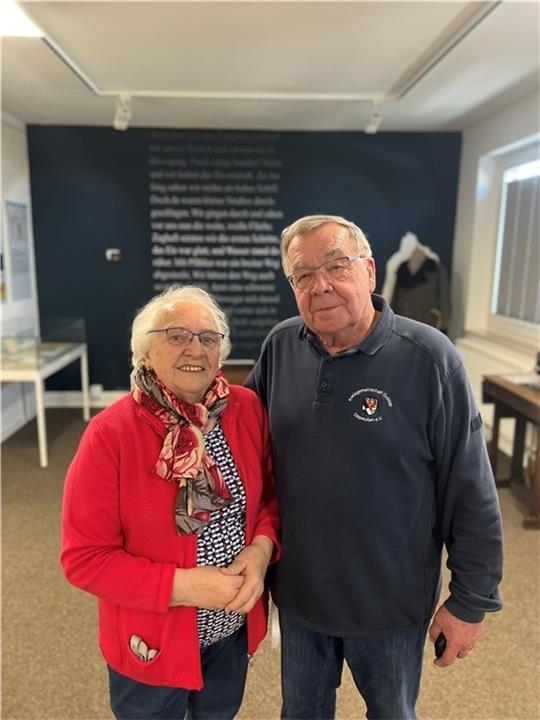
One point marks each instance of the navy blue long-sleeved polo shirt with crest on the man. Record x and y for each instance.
(379, 458)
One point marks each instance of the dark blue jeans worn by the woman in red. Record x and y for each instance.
(224, 669)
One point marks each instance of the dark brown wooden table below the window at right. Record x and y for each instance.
(519, 401)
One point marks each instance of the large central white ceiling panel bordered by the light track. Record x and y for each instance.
(246, 47)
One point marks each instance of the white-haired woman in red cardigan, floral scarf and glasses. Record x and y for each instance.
(169, 518)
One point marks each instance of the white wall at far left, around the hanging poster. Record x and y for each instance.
(16, 401)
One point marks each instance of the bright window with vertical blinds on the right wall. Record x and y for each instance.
(516, 288)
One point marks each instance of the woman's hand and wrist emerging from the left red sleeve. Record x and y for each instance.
(204, 587)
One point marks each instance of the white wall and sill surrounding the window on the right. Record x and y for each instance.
(474, 250)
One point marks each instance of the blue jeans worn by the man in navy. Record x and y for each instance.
(386, 669)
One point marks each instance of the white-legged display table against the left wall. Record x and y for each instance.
(36, 361)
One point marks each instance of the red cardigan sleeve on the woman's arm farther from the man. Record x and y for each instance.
(93, 555)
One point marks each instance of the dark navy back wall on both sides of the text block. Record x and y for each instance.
(90, 192)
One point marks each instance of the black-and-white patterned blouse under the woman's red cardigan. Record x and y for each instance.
(222, 539)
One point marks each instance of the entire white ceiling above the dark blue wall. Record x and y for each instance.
(272, 65)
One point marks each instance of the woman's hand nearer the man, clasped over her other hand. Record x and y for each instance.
(250, 564)
